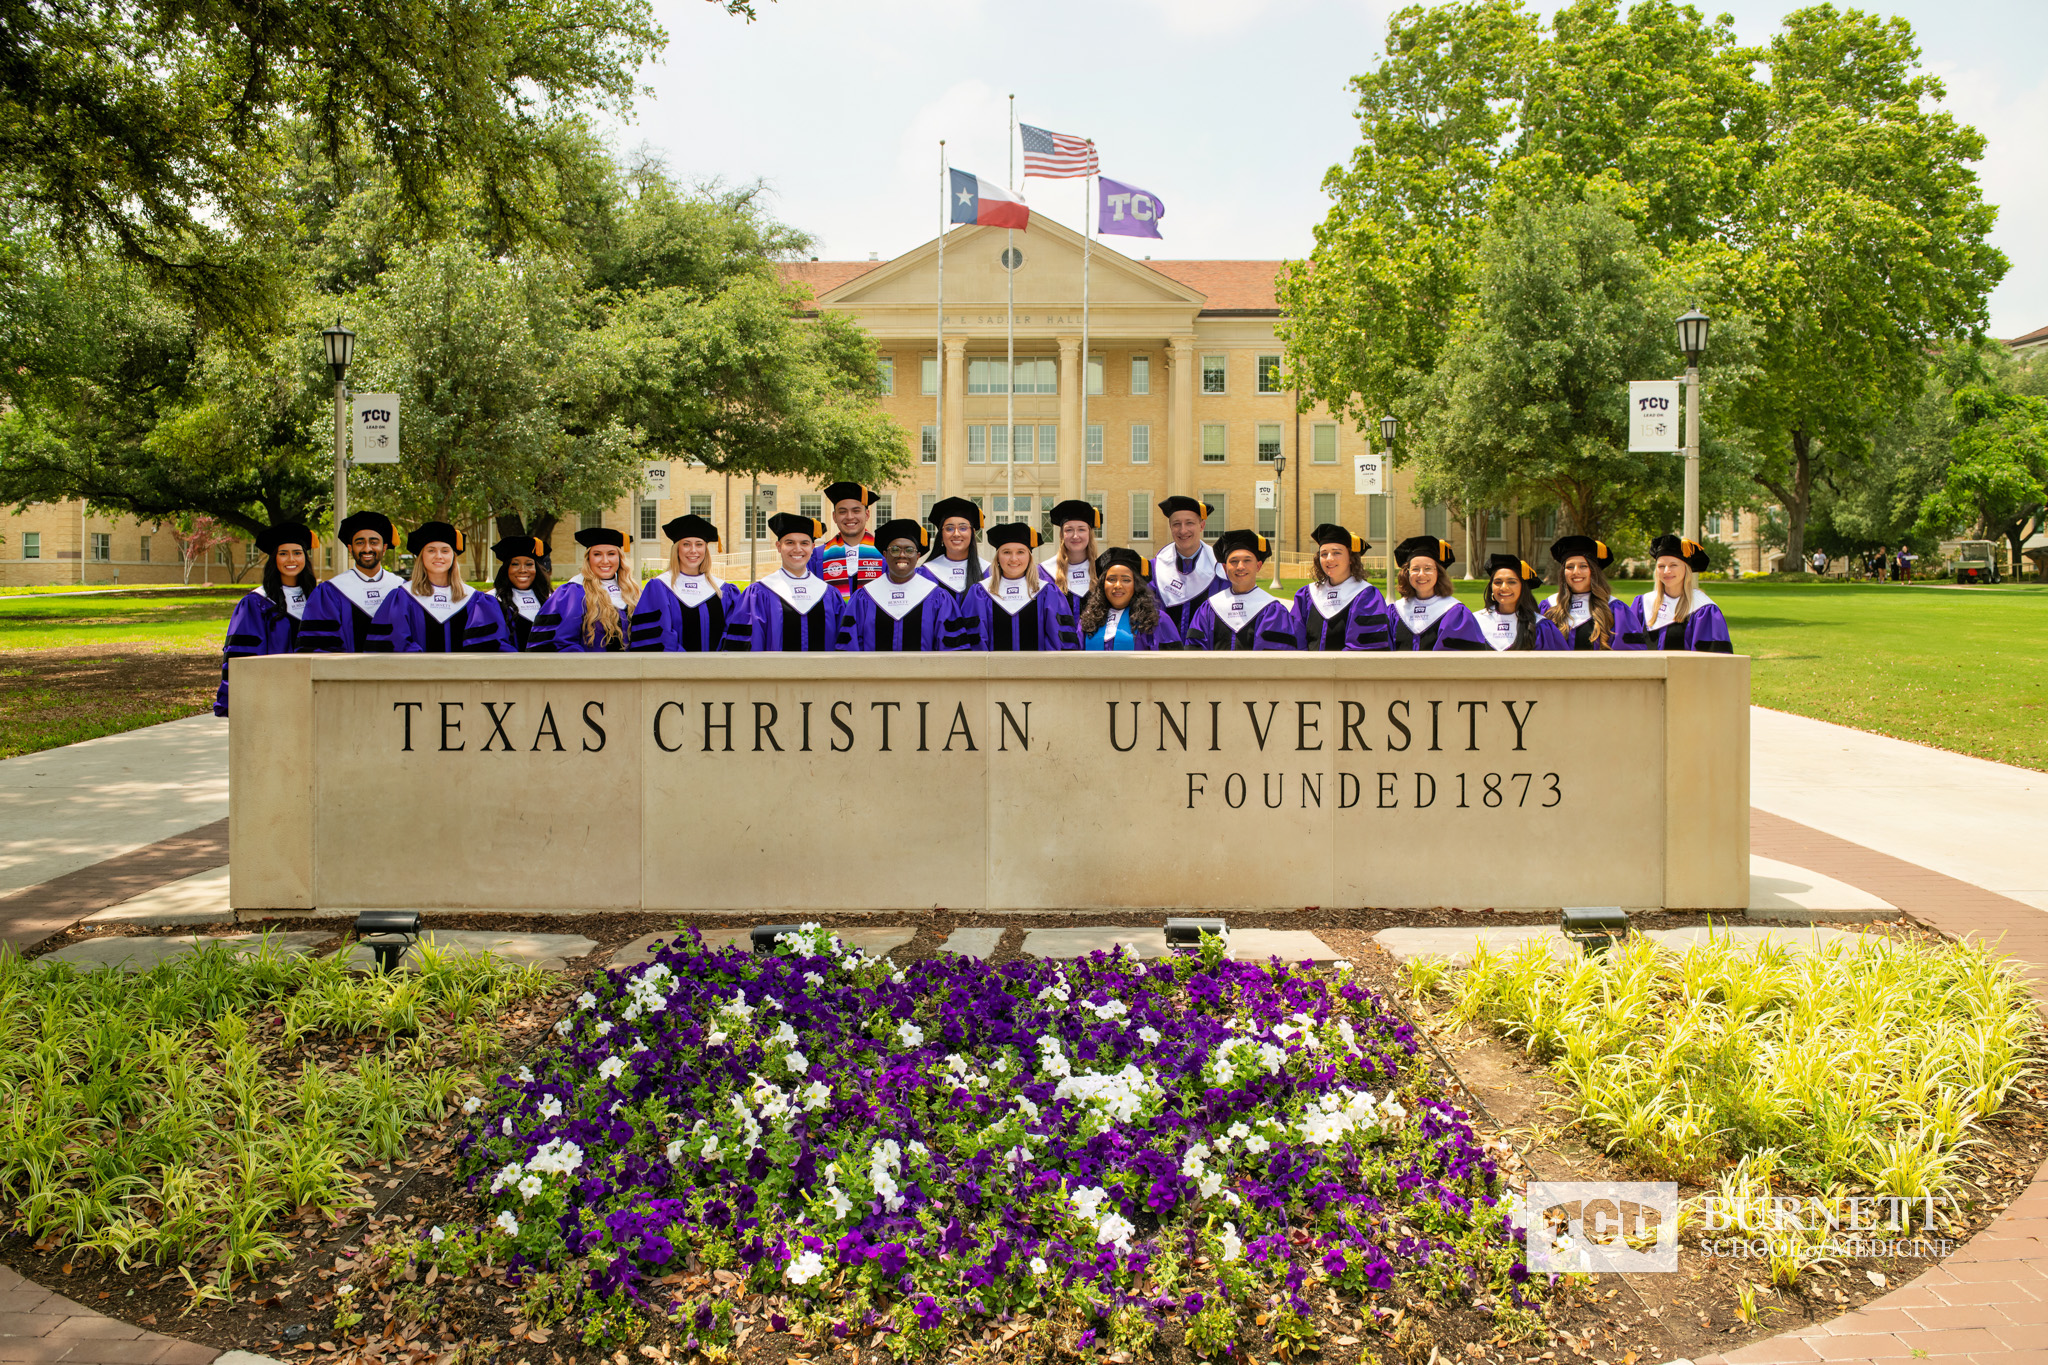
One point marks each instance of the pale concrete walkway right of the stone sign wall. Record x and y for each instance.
(1963, 818)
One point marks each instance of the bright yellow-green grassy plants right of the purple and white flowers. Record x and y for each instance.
(1857, 1065)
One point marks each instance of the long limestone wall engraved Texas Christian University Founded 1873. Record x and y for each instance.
(787, 785)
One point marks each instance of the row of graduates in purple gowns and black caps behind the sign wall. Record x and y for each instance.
(921, 586)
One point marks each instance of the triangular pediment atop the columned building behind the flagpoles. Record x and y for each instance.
(1050, 275)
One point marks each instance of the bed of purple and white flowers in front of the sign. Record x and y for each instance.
(1101, 1147)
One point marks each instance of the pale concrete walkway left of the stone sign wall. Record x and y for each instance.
(73, 807)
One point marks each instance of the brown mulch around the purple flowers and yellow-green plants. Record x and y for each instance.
(1611, 1321)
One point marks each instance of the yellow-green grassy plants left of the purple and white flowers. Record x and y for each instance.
(157, 1118)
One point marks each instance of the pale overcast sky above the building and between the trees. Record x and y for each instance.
(1228, 109)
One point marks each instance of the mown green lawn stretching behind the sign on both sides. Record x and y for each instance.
(1961, 670)
